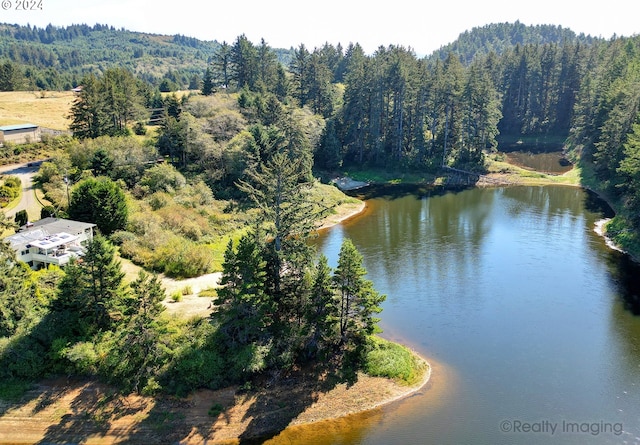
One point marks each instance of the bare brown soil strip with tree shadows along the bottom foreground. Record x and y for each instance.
(87, 412)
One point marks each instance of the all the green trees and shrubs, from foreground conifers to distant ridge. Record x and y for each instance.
(243, 152)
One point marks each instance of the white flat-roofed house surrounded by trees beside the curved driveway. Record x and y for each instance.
(51, 241)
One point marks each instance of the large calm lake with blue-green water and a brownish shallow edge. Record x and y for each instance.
(518, 305)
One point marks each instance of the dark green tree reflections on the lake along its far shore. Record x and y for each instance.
(435, 236)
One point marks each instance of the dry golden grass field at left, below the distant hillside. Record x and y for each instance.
(44, 108)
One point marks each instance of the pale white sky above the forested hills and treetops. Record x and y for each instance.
(423, 25)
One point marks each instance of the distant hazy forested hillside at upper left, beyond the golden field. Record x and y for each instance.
(56, 58)
